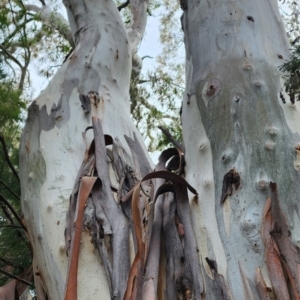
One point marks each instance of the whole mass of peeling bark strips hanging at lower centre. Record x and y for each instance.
(108, 220)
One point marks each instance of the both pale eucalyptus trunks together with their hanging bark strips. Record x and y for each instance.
(242, 156)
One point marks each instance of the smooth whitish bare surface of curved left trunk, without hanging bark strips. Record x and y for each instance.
(53, 146)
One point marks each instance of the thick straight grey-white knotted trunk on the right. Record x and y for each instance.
(241, 137)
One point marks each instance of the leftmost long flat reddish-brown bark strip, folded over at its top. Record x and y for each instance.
(84, 191)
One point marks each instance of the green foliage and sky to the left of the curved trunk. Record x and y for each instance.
(22, 32)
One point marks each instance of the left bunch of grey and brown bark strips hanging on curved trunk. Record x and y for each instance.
(103, 216)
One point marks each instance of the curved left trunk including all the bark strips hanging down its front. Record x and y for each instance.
(96, 216)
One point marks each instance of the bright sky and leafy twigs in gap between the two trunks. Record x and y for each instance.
(156, 95)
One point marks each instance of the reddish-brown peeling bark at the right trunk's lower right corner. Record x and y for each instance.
(282, 257)
